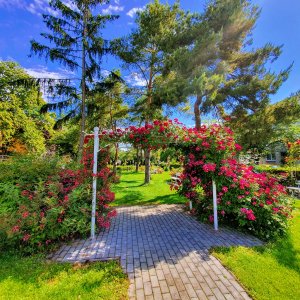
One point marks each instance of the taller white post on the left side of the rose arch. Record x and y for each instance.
(96, 149)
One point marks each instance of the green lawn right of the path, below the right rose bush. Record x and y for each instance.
(270, 272)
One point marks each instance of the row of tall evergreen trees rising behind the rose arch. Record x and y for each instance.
(206, 58)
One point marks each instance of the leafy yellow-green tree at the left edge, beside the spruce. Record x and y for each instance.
(20, 121)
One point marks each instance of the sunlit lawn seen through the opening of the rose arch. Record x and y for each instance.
(132, 191)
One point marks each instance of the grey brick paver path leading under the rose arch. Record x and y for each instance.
(165, 254)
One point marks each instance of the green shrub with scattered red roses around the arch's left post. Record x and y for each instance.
(38, 212)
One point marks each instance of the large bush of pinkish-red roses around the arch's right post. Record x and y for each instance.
(253, 202)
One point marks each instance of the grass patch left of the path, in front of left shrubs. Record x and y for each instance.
(34, 278)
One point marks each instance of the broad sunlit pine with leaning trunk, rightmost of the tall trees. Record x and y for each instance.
(217, 66)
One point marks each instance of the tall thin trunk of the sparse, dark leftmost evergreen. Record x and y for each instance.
(83, 87)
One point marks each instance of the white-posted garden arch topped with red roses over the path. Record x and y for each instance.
(168, 134)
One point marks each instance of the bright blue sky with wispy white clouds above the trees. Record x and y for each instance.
(21, 21)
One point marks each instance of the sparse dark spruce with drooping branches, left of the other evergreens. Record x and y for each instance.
(76, 43)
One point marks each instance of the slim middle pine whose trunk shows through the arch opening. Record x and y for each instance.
(145, 49)
